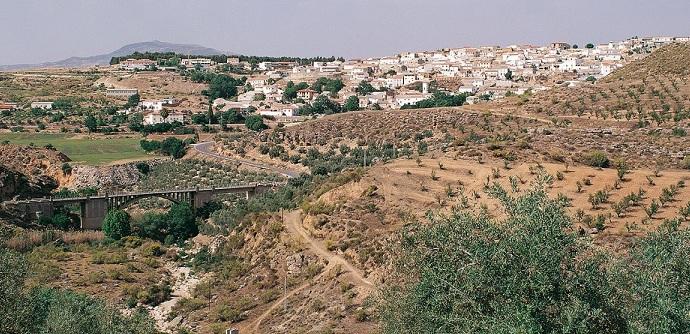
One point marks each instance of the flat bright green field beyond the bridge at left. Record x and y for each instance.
(81, 149)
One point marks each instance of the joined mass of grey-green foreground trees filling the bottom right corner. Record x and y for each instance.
(529, 273)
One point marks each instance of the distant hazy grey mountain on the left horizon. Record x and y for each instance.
(153, 46)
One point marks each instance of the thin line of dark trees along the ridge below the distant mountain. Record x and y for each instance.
(158, 56)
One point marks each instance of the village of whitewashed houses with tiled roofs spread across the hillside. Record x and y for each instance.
(281, 89)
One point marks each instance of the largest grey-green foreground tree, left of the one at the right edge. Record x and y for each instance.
(520, 275)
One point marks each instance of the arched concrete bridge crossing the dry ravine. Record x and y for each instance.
(94, 208)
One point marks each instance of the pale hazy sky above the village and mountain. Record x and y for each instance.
(46, 30)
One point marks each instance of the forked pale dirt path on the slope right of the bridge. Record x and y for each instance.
(293, 222)
